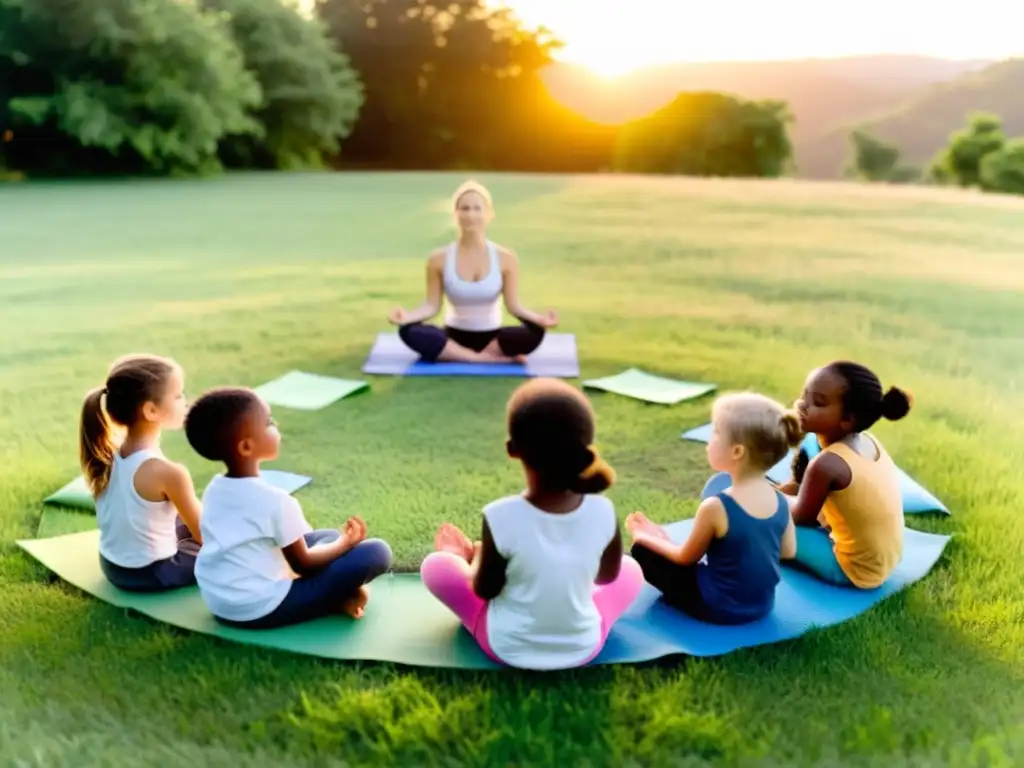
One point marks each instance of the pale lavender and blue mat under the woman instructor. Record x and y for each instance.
(557, 358)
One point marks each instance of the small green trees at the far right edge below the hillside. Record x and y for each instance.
(978, 156)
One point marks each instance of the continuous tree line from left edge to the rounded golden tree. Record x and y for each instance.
(169, 88)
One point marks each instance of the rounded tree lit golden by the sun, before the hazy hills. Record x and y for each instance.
(708, 135)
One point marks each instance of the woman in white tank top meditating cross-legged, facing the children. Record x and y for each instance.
(475, 275)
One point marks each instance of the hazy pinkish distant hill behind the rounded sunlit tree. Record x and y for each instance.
(823, 94)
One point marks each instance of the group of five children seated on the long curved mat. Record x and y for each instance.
(548, 578)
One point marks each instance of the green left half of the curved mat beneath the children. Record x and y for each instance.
(429, 636)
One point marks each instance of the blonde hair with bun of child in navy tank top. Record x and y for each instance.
(766, 429)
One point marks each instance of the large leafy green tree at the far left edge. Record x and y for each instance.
(121, 87)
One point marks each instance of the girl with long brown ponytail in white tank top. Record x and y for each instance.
(147, 507)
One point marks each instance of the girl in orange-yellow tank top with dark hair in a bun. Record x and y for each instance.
(848, 506)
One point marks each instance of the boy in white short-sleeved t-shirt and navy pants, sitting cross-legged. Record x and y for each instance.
(255, 538)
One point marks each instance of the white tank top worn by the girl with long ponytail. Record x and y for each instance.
(134, 532)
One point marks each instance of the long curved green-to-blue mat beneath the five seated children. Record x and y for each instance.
(406, 625)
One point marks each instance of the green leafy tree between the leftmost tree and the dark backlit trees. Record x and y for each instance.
(311, 94)
